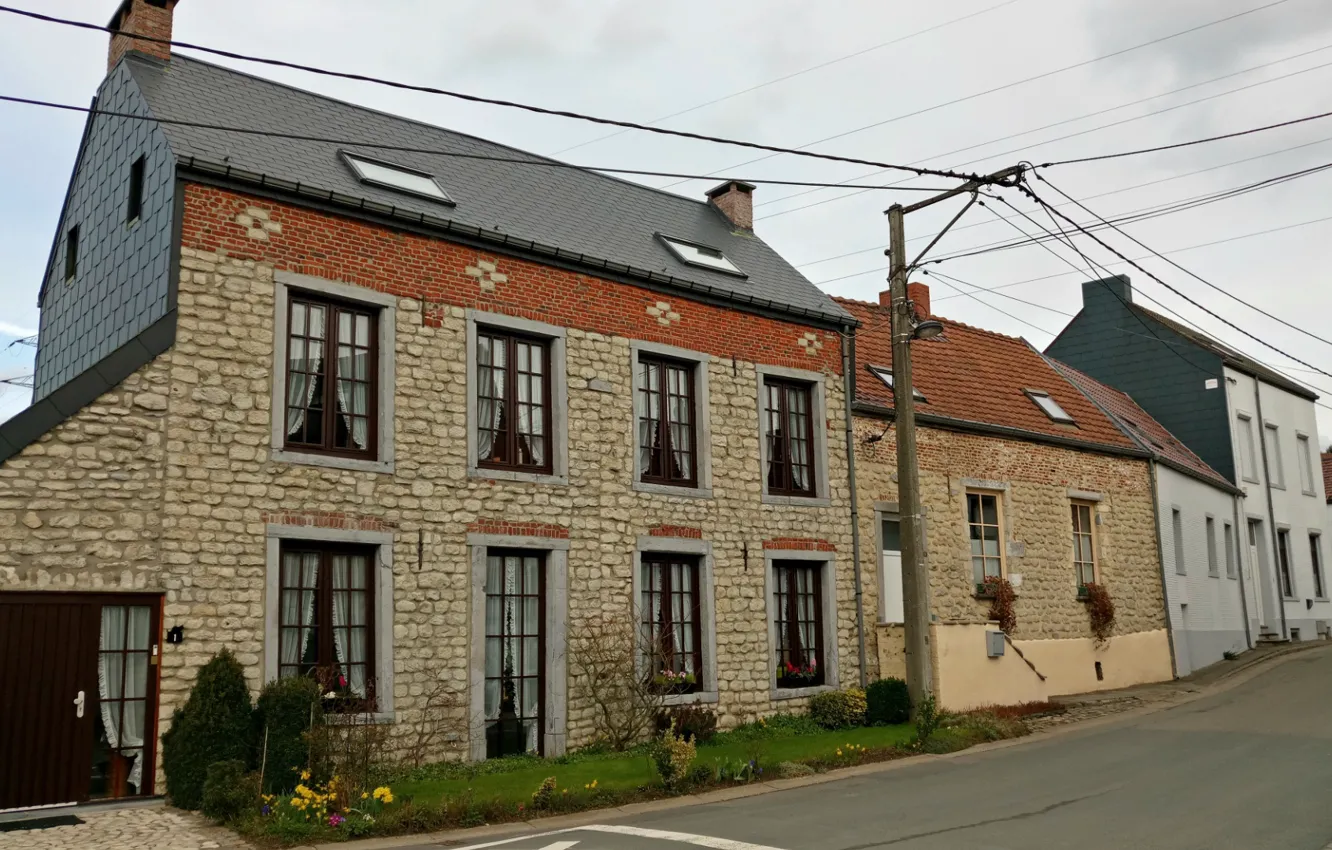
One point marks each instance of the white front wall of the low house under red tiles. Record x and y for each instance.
(1205, 594)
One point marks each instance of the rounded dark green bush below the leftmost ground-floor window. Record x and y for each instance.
(286, 709)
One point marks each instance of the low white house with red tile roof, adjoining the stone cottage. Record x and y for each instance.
(1198, 524)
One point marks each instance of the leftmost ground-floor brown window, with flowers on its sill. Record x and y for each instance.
(327, 620)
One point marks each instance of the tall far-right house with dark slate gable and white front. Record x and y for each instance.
(1245, 420)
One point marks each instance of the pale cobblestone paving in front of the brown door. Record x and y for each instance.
(138, 828)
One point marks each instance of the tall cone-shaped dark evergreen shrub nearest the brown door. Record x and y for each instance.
(212, 727)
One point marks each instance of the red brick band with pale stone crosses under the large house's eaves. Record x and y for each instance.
(432, 271)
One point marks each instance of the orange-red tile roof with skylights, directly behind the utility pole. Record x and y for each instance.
(978, 376)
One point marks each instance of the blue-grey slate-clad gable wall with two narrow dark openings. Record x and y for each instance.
(125, 271)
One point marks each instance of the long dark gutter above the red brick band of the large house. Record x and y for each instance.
(226, 175)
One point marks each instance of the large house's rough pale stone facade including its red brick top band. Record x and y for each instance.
(216, 487)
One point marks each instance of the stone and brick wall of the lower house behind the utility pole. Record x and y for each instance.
(1037, 527)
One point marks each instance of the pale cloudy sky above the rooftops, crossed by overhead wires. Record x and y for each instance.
(644, 62)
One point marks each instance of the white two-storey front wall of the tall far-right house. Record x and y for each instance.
(1275, 439)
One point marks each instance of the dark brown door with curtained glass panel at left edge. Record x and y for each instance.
(79, 697)
